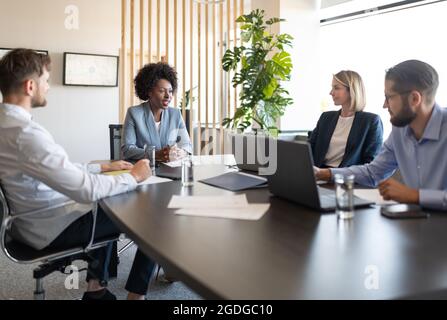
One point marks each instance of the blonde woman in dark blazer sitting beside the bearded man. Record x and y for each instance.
(349, 136)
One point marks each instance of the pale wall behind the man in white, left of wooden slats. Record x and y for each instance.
(77, 117)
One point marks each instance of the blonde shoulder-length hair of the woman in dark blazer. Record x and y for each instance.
(354, 83)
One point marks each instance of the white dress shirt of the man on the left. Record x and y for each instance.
(36, 173)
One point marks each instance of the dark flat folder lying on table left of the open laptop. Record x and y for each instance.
(236, 181)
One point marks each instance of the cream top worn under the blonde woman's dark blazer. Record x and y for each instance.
(337, 146)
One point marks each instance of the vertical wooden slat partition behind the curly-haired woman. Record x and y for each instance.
(200, 40)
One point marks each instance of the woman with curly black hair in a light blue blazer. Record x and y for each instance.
(154, 123)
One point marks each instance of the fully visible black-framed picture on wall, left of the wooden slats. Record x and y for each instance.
(92, 70)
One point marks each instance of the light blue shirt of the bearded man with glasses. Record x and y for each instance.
(422, 164)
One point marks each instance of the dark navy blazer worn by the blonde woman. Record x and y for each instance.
(364, 141)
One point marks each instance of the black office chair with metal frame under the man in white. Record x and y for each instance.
(49, 260)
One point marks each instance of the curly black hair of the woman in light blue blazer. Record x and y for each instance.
(148, 77)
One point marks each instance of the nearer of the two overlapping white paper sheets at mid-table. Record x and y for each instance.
(251, 212)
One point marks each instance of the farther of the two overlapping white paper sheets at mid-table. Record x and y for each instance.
(208, 202)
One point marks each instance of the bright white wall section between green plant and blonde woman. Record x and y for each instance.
(302, 22)
